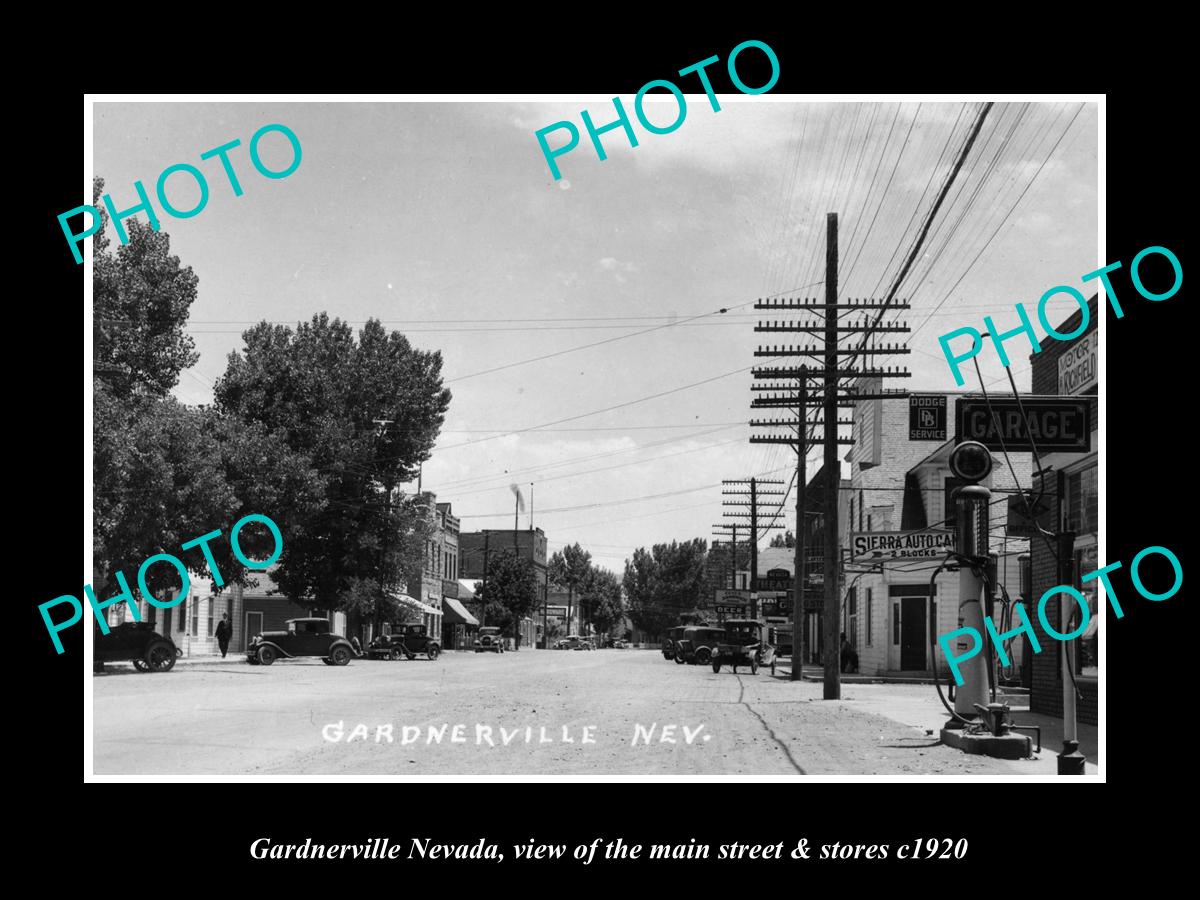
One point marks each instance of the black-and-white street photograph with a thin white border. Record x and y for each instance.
(536, 437)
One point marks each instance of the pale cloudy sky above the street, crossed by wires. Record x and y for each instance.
(445, 221)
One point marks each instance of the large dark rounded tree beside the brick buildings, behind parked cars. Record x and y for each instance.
(367, 412)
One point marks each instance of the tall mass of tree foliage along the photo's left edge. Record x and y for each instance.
(165, 473)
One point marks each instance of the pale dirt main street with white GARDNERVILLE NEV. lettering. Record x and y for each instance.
(529, 713)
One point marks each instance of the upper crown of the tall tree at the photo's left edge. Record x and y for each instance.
(141, 301)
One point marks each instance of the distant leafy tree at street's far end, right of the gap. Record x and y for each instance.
(664, 584)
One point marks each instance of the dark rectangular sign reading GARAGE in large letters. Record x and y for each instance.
(1053, 424)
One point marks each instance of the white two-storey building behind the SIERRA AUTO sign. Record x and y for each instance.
(901, 485)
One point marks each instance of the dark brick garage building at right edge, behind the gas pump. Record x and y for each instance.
(1072, 494)
